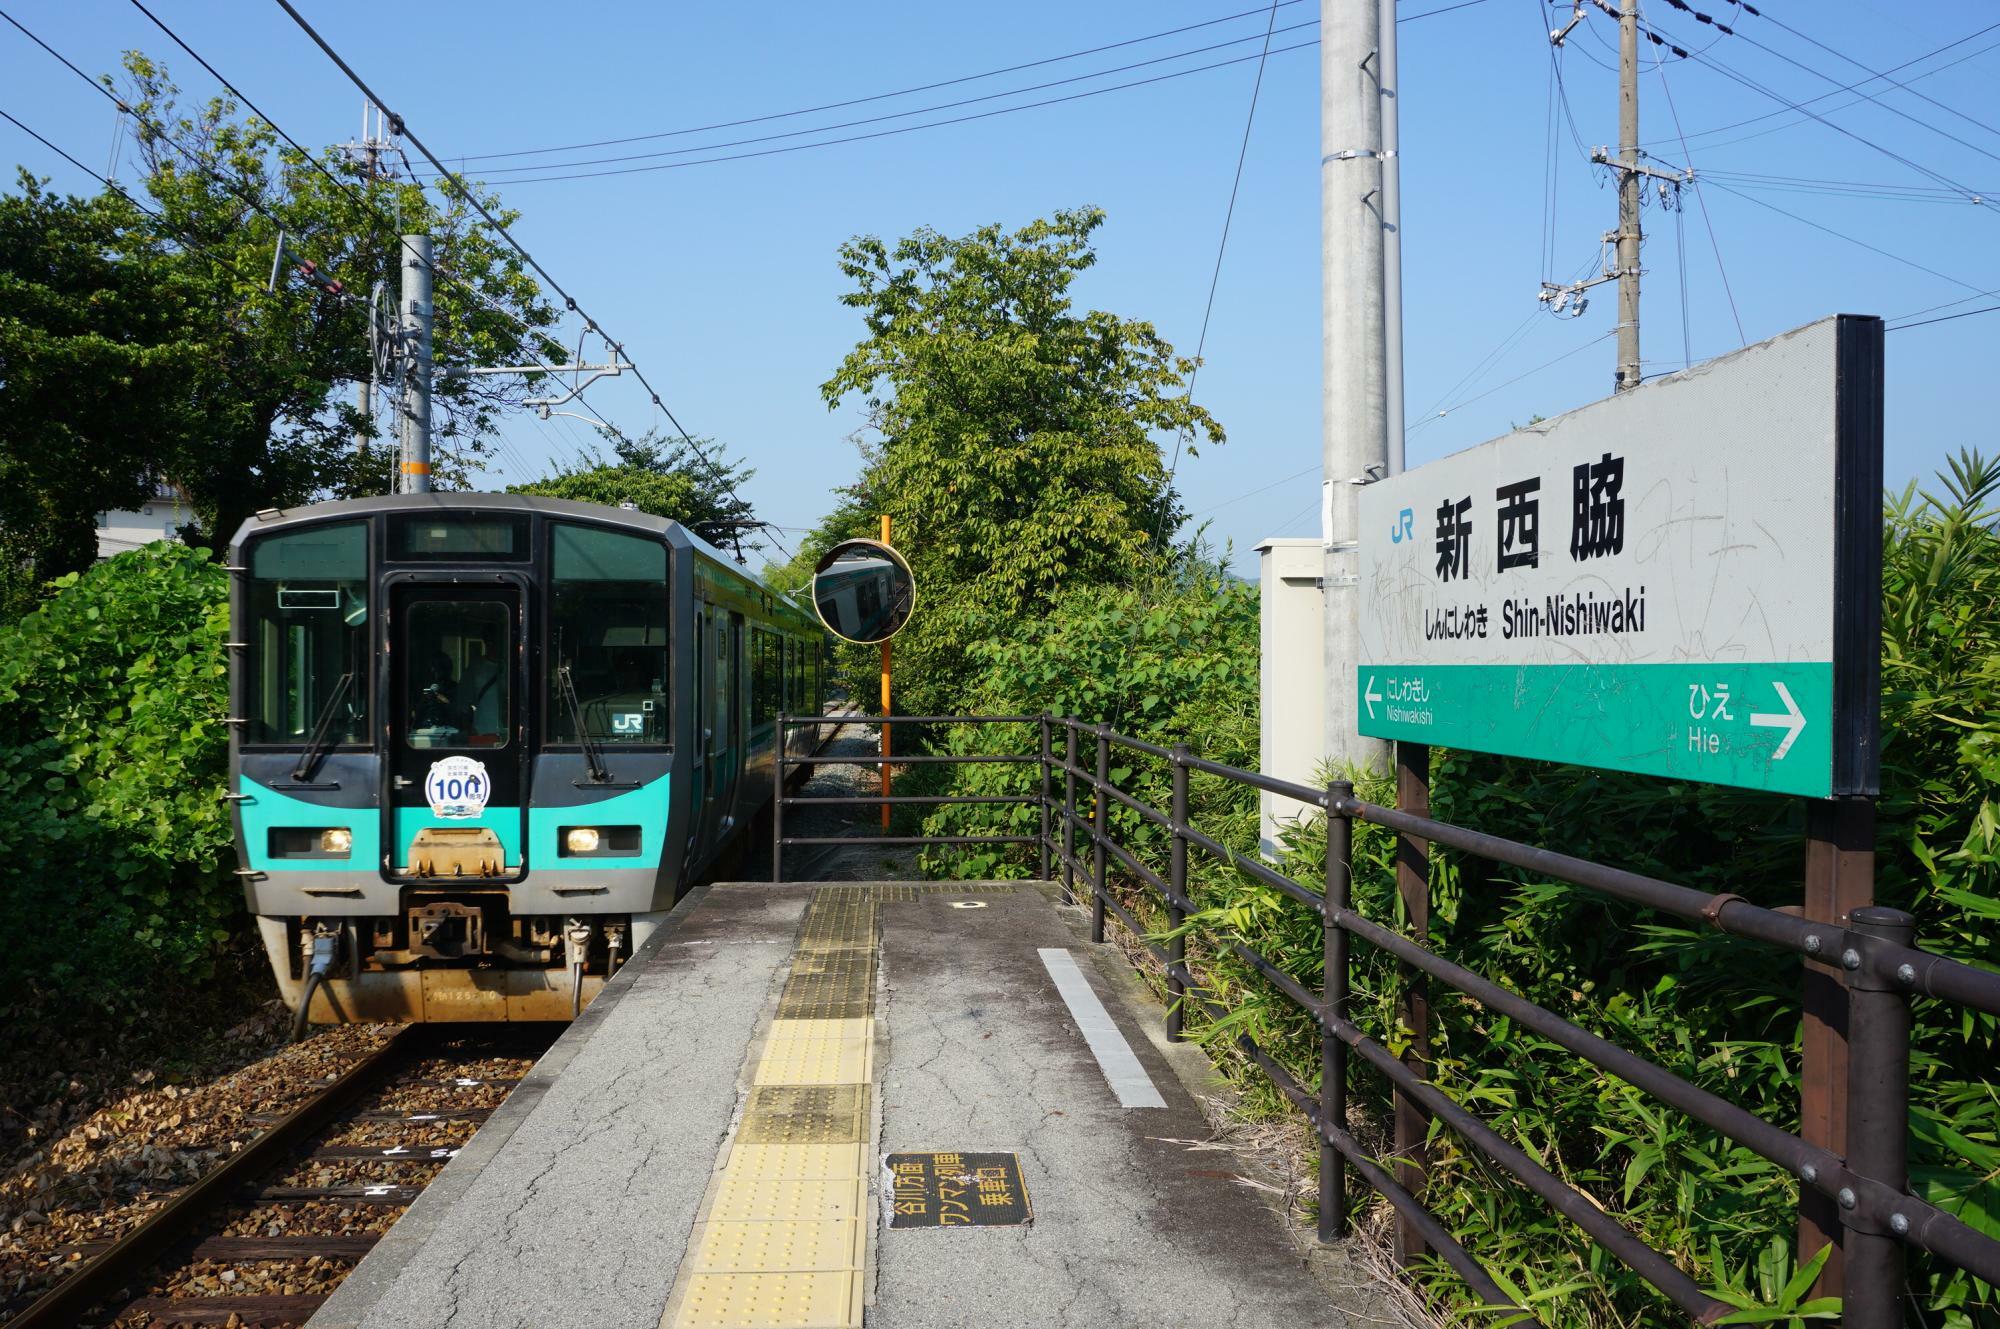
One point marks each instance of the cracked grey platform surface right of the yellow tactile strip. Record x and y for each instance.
(1129, 1226)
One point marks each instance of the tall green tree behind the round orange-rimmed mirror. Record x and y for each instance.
(1011, 439)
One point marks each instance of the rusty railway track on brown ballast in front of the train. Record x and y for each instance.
(269, 1234)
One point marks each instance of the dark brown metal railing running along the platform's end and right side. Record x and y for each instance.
(1875, 956)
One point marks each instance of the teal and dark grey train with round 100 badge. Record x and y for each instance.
(485, 742)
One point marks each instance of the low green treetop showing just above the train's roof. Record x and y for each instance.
(691, 483)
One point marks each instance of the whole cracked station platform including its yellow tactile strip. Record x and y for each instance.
(709, 1144)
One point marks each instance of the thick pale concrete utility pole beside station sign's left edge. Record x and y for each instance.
(1353, 403)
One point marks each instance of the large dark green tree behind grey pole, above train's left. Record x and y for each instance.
(237, 395)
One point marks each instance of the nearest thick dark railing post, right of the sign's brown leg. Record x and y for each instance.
(1879, 1124)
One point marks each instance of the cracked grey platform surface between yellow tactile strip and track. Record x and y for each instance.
(587, 1208)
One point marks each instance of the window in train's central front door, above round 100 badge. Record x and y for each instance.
(459, 690)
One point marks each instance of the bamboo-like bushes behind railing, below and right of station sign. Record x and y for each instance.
(1709, 1008)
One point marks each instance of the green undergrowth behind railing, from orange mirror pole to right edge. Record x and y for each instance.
(1181, 666)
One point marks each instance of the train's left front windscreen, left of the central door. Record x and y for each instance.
(307, 635)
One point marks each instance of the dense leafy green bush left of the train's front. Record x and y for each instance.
(113, 756)
